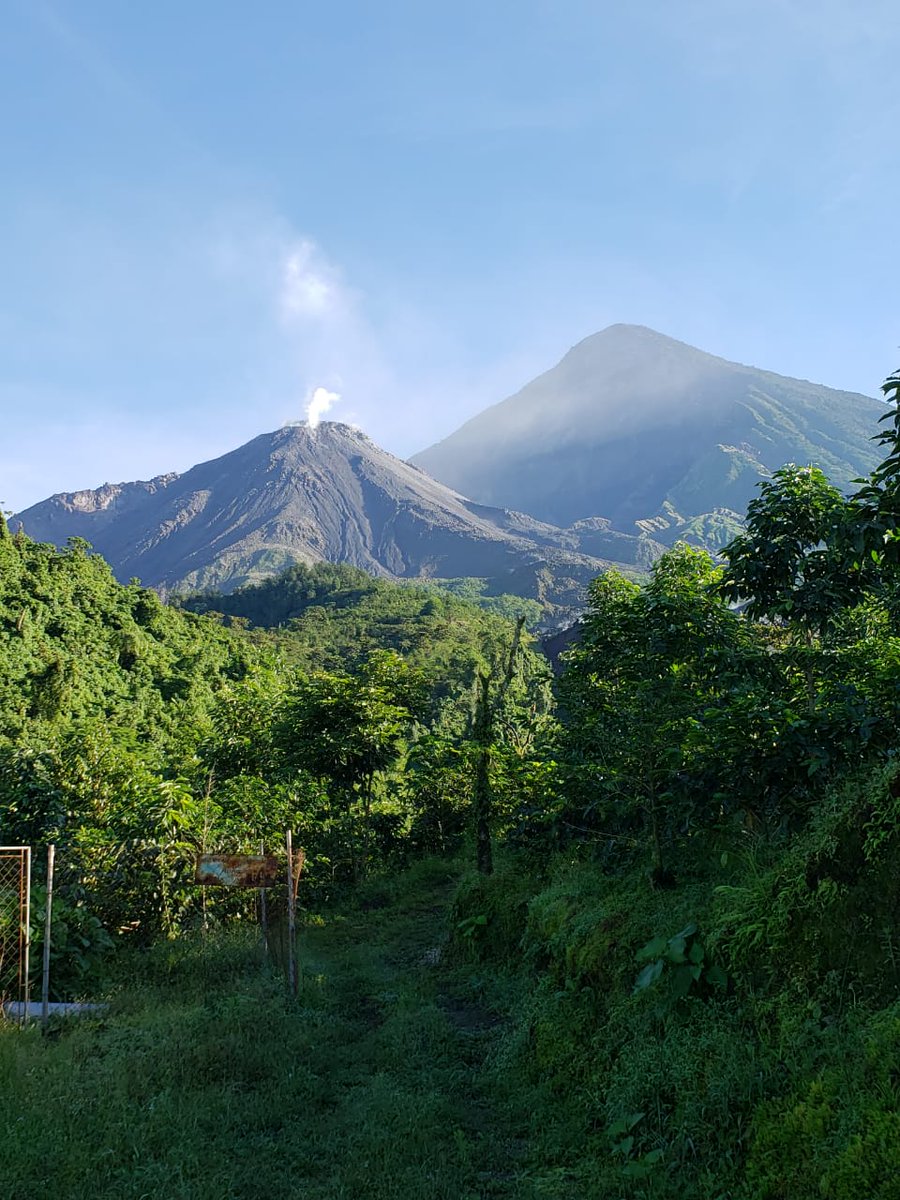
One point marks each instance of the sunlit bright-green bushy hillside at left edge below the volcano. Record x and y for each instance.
(79, 646)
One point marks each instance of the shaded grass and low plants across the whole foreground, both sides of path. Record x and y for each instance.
(497, 1063)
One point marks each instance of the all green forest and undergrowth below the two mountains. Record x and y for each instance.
(632, 934)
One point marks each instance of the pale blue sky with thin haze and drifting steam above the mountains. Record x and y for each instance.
(211, 209)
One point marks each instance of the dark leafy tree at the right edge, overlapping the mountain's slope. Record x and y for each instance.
(812, 565)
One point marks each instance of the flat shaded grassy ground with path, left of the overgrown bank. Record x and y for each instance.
(206, 1084)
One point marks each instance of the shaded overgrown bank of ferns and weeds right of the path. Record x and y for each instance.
(737, 1036)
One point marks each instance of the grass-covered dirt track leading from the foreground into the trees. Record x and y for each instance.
(418, 1033)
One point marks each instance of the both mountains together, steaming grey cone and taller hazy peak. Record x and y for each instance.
(633, 441)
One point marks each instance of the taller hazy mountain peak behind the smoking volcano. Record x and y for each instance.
(635, 427)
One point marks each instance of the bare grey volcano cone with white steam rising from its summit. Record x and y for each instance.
(304, 495)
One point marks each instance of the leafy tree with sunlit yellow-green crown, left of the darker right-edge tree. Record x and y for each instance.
(650, 665)
